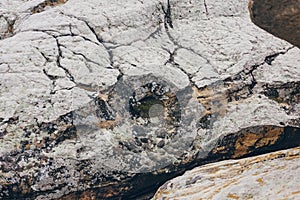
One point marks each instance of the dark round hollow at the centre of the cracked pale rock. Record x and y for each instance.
(155, 103)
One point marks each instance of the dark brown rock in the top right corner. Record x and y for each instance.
(281, 18)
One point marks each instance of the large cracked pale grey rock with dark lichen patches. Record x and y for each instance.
(99, 97)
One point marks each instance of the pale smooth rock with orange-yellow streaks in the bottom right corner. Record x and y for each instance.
(269, 176)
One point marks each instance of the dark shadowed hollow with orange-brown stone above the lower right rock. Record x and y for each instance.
(255, 140)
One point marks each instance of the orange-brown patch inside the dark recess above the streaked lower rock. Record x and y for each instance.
(263, 137)
